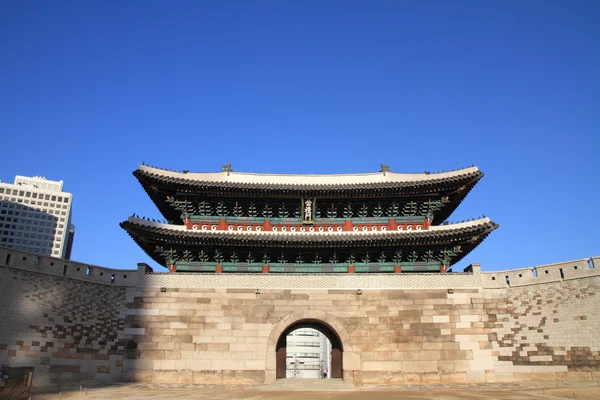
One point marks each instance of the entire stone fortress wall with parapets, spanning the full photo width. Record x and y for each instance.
(77, 327)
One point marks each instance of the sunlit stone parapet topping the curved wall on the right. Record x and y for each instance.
(547, 273)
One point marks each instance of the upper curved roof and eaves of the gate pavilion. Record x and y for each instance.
(159, 184)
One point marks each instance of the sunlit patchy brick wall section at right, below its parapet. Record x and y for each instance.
(539, 328)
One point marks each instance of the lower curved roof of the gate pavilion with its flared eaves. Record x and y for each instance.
(150, 234)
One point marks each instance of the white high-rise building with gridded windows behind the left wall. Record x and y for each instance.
(35, 216)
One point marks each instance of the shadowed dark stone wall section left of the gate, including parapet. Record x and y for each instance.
(69, 328)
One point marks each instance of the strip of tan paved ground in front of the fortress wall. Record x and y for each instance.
(298, 390)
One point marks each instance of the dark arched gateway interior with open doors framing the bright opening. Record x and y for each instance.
(320, 326)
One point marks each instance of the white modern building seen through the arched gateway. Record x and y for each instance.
(308, 354)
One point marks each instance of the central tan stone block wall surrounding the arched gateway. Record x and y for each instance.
(388, 335)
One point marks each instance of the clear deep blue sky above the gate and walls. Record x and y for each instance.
(90, 89)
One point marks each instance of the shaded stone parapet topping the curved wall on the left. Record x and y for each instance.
(25, 261)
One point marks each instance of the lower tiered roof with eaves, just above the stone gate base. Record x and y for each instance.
(457, 240)
